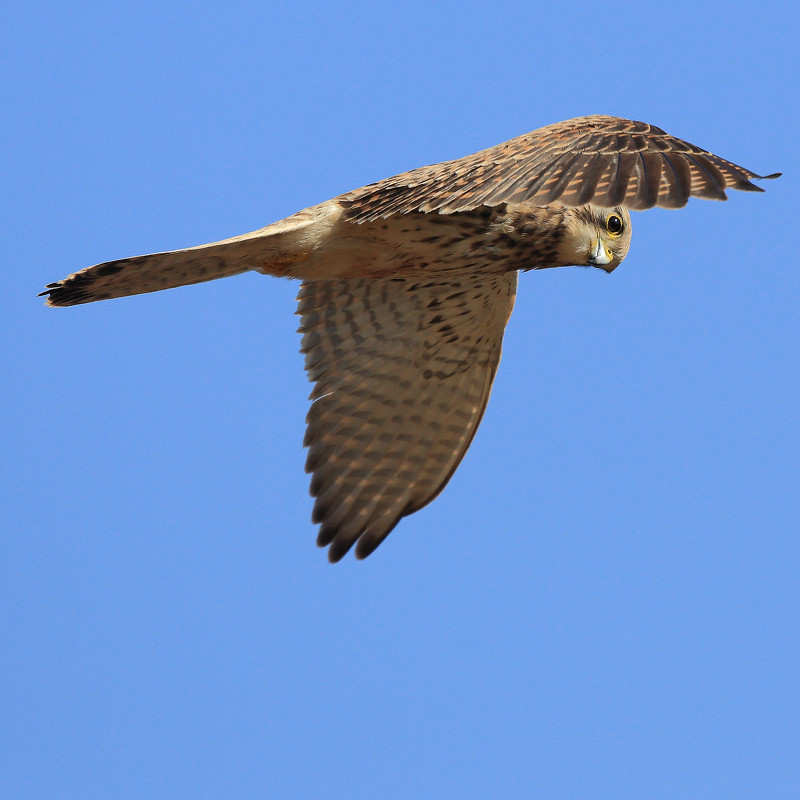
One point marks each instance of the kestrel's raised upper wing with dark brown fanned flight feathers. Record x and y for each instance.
(607, 161)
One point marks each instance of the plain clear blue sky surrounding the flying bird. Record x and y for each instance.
(603, 603)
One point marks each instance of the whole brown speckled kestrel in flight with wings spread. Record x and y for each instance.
(406, 288)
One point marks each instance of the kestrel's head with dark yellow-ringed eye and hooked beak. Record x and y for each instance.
(596, 237)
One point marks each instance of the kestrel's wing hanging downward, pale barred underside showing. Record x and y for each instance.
(402, 372)
